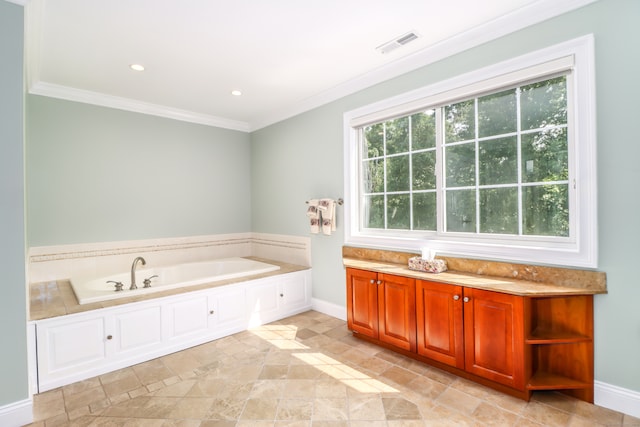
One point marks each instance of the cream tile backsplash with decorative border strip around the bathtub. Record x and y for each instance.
(49, 263)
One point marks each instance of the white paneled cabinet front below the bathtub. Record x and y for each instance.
(79, 346)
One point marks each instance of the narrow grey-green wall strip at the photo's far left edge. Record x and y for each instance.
(13, 311)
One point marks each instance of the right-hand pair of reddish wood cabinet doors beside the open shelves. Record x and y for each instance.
(471, 329)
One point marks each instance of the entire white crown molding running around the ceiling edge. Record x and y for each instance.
(529, 15)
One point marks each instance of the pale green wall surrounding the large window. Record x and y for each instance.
(302, 157)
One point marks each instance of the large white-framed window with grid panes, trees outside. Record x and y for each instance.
(499, 163)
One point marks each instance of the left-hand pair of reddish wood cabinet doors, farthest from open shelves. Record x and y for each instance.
(382, 307)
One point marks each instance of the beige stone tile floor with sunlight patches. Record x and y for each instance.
(306, 370)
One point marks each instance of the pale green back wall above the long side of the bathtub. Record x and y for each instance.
(97, 174)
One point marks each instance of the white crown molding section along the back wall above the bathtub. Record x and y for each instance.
(127, 104)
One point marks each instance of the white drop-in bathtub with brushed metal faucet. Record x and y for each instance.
(90, 290)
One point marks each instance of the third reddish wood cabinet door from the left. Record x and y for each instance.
(439, 322)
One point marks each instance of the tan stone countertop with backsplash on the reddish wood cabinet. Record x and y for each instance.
(515, 279)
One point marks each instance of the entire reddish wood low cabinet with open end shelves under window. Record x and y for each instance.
(516, 344)
